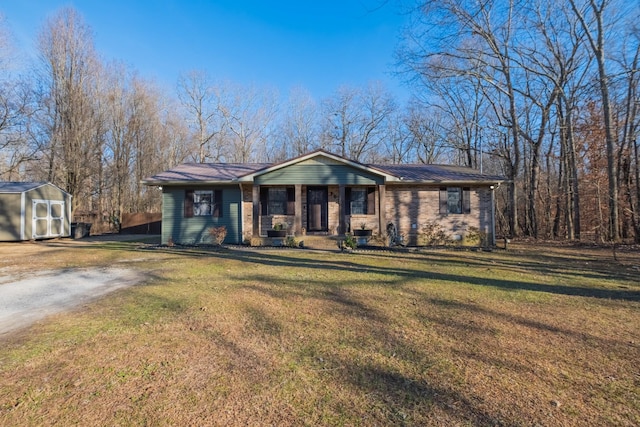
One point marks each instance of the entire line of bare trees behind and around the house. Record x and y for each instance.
(543, 94)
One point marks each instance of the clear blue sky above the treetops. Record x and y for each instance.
(319, 44)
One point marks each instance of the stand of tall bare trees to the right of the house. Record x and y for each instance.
(548, 88)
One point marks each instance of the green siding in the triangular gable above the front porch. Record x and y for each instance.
(319, 174)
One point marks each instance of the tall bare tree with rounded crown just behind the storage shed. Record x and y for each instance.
(69, 65)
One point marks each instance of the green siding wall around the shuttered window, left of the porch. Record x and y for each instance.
(193, 230)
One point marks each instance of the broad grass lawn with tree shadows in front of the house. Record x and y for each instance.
(529, 336)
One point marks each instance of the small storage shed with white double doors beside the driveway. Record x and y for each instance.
(33, 210)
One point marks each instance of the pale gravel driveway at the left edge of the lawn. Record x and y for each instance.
(25, 301)
